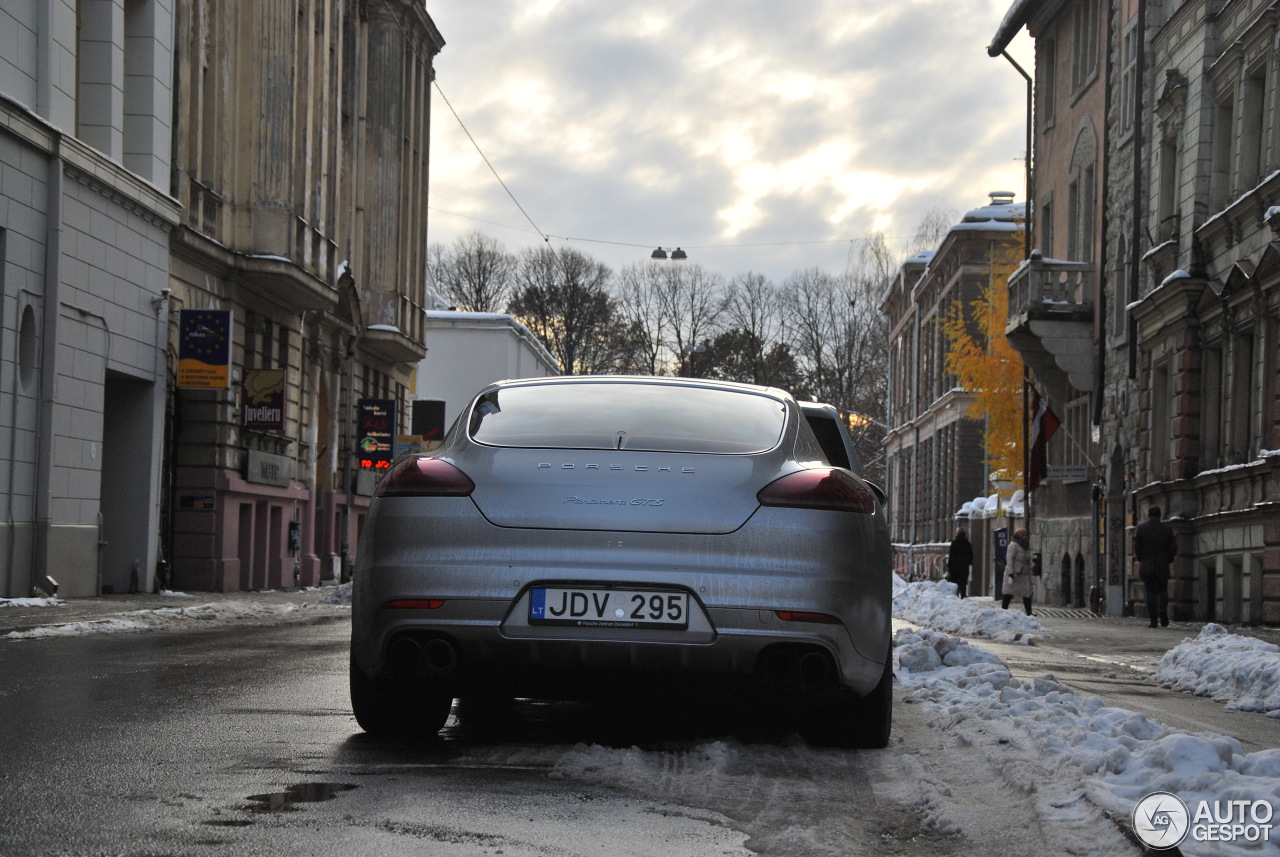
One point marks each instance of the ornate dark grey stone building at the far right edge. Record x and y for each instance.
(1209, 315)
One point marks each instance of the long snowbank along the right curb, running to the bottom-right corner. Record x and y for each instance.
(1116, 755)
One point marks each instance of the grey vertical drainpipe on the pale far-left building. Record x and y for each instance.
(40, 579)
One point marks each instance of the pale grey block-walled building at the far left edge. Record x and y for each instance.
(86, 103)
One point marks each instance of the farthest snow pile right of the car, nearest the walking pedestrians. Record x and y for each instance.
(936, 606)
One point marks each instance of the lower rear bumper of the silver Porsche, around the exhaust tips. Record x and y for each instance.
(470, 653)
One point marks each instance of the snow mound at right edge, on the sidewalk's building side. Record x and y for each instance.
(1240, 671)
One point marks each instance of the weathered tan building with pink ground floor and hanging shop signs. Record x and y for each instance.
(301, 166)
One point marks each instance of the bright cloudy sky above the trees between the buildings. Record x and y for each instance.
(757, 135)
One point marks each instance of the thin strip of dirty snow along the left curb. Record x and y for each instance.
(236, 613)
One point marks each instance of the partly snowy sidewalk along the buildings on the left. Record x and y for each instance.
(29, 618)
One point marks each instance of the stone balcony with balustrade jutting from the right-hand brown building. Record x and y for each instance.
(1052, 320)
